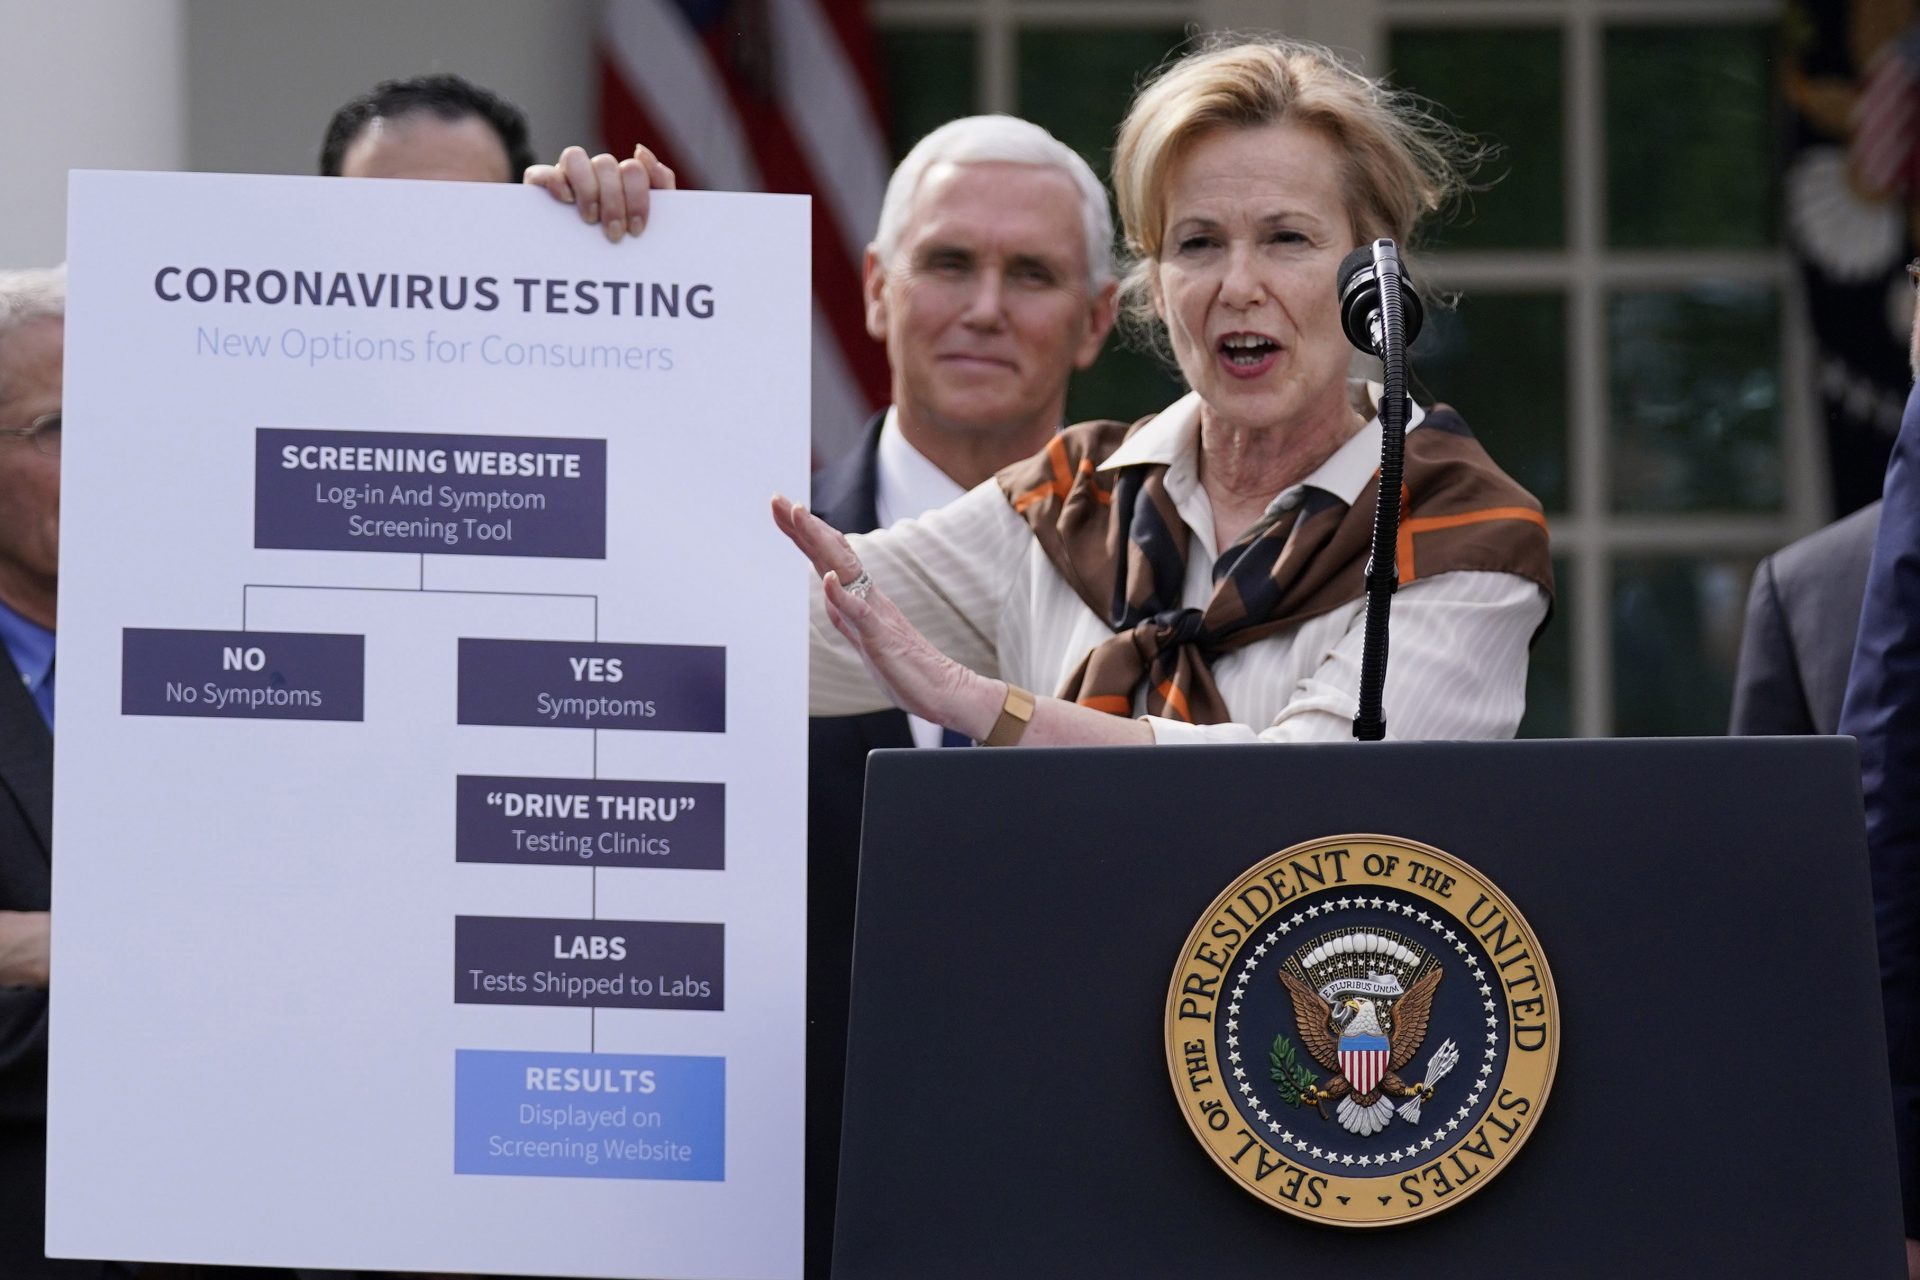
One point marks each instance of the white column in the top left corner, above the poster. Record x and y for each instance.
(84, 85)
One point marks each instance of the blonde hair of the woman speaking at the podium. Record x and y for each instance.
(1399, 164)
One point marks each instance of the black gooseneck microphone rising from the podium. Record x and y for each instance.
(1381, 316)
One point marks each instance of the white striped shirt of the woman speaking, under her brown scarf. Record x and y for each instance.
(978, 586)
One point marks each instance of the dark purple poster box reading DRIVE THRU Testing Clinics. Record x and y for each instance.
(590, 824)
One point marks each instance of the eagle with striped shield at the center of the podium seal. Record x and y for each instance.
(1362, 999)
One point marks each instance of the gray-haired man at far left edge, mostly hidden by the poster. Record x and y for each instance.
(32, 343)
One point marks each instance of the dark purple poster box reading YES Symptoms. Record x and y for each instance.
(592, 686)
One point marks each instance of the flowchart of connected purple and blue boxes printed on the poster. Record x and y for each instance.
(592, 1116)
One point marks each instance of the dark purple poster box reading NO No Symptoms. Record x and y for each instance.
(243, 675)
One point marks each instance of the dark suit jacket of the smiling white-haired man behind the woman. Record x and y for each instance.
(836, 786)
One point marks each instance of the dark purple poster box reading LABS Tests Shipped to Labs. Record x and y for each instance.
(588, 964)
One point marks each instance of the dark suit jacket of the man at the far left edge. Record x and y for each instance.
(26, 882)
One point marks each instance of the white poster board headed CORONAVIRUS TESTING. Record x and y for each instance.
(429, 888)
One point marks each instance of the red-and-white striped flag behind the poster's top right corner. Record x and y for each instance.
(769, 97)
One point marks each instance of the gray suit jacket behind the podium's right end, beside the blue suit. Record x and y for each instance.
(1802, 619)
